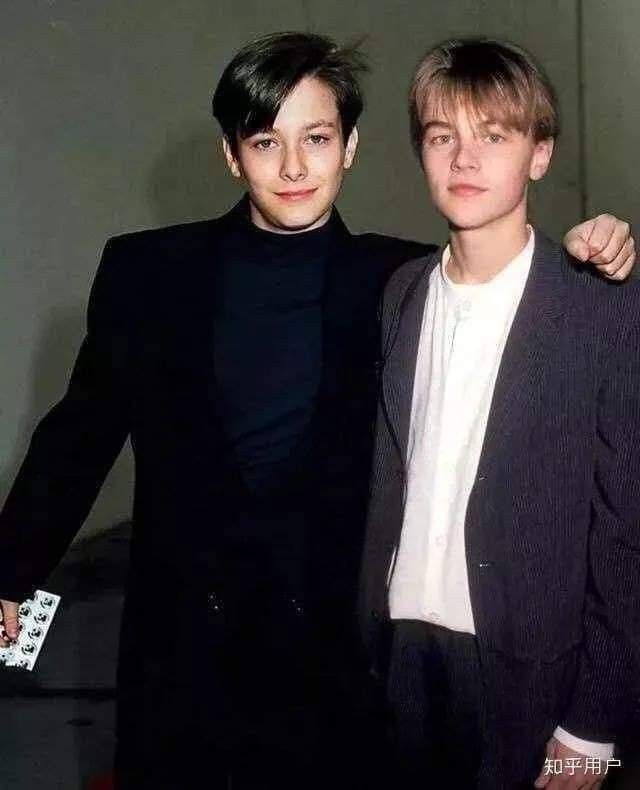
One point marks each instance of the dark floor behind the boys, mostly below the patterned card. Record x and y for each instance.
(56, 723)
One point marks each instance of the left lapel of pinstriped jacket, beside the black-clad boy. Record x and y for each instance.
(400, 354)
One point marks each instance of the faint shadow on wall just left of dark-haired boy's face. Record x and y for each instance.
(190, 179)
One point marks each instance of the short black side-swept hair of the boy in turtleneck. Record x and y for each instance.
(262, 74)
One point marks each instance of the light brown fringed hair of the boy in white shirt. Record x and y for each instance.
(490, 78)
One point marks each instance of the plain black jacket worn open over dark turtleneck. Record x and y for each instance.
(145, 370)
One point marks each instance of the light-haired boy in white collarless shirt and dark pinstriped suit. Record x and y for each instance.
(502, 539)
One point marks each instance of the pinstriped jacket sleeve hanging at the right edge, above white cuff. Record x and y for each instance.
(607, 687)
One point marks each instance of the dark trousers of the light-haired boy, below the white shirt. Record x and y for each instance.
(448, 732)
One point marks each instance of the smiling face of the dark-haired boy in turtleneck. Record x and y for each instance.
(294, 171)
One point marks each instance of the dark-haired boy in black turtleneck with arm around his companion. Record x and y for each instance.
(239, 354)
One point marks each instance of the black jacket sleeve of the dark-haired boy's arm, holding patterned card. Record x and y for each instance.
(72, 448)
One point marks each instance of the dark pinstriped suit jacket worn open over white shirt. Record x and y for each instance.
(553, 520)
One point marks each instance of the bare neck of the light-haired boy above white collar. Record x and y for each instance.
(479, 254)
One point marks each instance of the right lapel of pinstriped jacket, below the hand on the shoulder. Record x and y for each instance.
(527, 350)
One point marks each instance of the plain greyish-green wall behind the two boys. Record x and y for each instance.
(105, 127)
